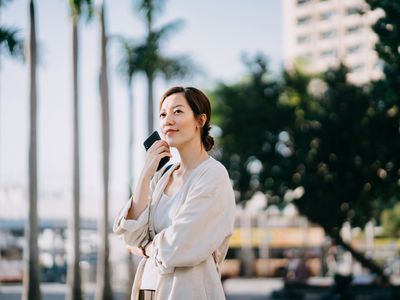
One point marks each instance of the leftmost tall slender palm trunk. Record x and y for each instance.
(31, 280)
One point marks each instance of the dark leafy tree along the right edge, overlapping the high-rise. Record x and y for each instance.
(386, 97)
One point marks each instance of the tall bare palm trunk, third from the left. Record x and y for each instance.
(103, 268)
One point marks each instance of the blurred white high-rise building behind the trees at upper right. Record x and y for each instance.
(324, 32)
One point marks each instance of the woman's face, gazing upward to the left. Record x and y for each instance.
(178, 123)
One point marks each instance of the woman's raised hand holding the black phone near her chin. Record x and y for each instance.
(156, 152)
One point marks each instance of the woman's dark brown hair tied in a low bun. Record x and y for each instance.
(199, 104)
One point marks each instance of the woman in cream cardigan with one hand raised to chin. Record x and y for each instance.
(180, 220)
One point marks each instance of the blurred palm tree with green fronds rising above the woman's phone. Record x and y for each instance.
(153, 62)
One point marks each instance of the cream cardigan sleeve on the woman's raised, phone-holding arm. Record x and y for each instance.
(135, 232)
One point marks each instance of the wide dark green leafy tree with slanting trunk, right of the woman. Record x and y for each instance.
(312, 135)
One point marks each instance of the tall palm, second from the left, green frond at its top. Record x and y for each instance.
(74, 275)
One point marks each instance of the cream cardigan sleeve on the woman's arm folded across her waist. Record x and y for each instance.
(201, 226)
